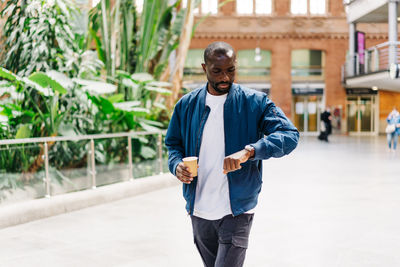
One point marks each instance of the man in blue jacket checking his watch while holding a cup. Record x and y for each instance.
(224, 125)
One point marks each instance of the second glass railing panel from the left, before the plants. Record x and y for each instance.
(69, 166)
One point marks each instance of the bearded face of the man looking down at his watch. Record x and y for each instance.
(220, 71)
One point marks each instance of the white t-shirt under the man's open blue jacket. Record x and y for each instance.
(212, 191)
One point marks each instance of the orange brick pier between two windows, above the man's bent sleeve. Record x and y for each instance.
(281, 80)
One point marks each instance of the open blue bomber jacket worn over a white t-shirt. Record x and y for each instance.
(250, 117)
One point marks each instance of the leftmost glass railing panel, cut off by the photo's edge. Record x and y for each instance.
(21, 173)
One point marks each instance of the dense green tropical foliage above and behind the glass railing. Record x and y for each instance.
(65, 71)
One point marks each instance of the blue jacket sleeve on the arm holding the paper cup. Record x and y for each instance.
(174, 141)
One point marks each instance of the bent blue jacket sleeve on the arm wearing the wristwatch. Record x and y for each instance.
(280, 135)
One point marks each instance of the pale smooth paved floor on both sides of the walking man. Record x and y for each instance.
(334, 204)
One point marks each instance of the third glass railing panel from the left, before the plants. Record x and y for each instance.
(111, 158)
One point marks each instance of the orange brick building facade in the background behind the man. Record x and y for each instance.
(282, 33)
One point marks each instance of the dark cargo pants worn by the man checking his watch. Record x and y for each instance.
(223, 242)
